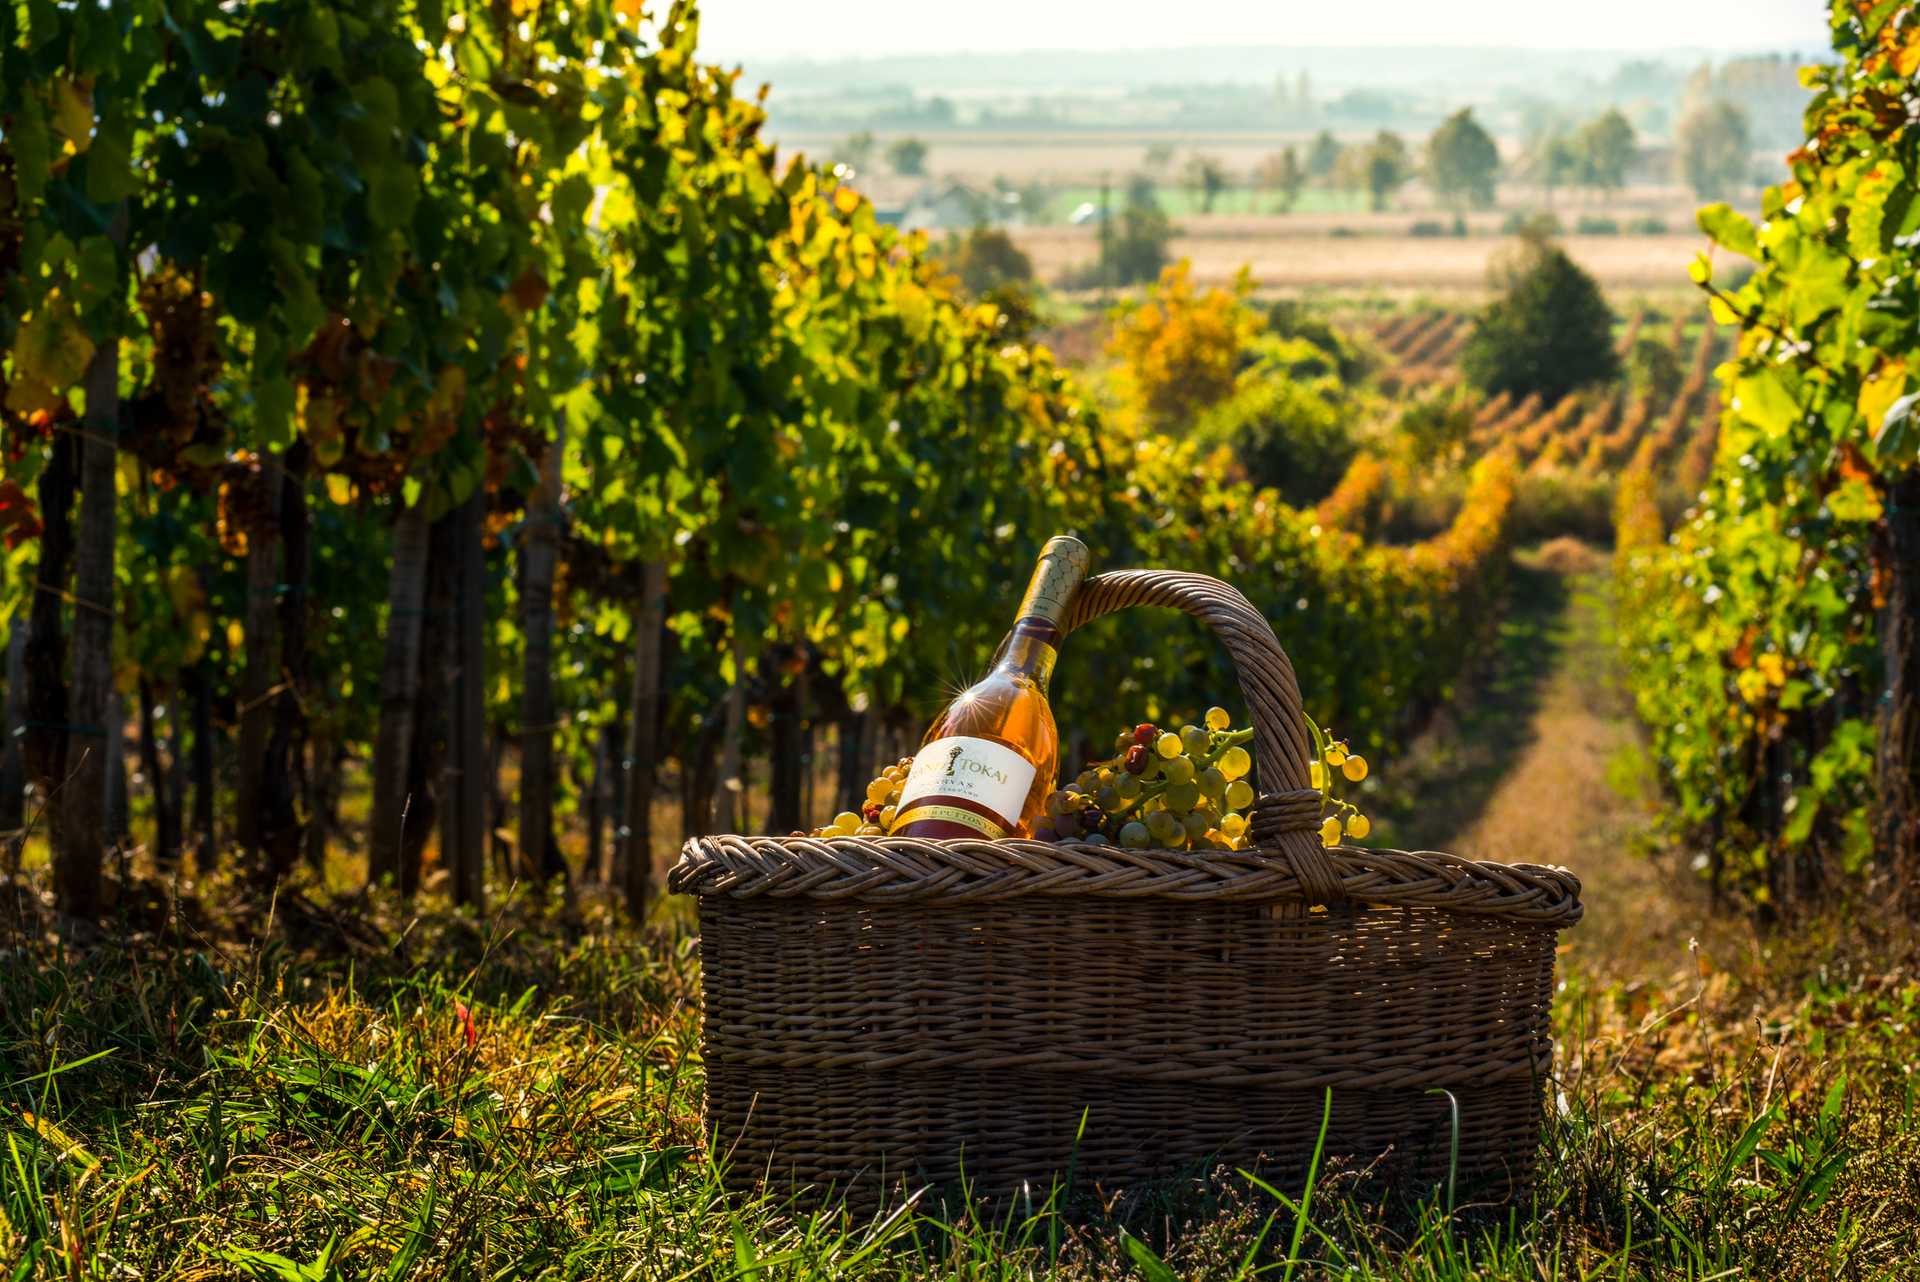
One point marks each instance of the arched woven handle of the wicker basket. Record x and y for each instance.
(1287, 815)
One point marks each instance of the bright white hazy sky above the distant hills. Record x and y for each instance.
(769, 30)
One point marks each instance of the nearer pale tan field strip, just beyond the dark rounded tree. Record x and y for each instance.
(1289, 256)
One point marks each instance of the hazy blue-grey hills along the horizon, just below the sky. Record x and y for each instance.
(1272, 89)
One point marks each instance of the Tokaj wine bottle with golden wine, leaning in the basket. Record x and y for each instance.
(994, 755)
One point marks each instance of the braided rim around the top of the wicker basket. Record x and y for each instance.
(894, 870)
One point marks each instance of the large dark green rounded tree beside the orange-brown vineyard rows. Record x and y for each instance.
(1548, 331)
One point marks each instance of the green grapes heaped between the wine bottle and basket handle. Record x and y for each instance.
(1170, 790)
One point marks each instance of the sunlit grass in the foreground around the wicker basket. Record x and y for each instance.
(360, 1093)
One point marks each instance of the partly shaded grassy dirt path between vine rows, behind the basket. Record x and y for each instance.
(1545, 765)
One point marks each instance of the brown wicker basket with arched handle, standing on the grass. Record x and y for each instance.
(898, 1012)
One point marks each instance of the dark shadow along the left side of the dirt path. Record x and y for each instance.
(1451, 771)
